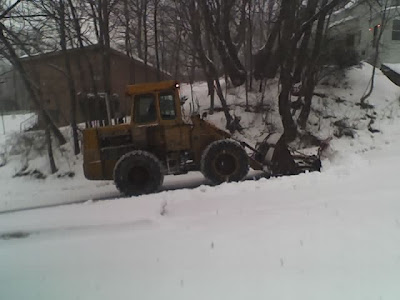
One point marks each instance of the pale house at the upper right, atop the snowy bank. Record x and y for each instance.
(359, 23)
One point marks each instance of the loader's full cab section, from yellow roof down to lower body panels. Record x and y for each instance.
(156, 118)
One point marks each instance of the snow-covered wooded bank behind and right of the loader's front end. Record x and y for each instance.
(336, 99)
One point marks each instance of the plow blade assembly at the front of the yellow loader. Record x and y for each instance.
(274, 154)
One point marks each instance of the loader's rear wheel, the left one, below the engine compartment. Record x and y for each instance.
(138, 172)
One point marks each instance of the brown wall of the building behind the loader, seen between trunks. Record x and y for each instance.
(48, 72)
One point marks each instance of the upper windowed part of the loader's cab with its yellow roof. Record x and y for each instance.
(155, 104)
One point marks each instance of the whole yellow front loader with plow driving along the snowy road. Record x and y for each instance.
(158, 142)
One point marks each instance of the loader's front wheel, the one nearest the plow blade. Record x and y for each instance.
(224, 161)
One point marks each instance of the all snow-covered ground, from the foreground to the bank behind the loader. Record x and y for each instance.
(329, 235)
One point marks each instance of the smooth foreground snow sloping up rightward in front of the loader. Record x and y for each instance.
(330, 235)
